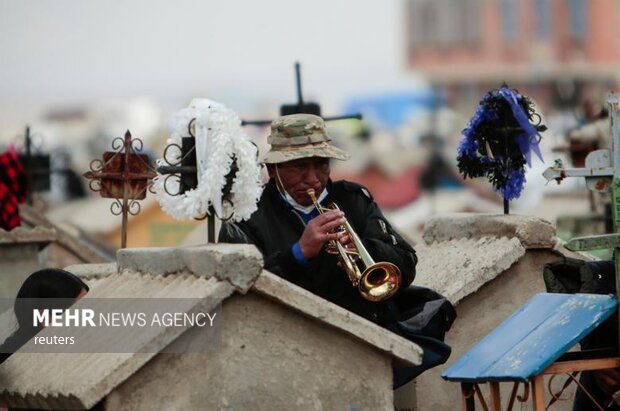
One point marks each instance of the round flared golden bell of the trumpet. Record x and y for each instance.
(380, 281)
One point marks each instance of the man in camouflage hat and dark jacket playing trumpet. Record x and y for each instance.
(292, 229)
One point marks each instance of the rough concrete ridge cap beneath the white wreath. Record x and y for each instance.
(239, 264)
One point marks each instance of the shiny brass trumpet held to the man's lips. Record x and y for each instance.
(378, 281)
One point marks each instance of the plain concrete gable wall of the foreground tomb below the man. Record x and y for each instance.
(270, 358)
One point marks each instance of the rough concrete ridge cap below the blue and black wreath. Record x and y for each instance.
(532, 232)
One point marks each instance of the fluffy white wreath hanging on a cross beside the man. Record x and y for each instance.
(219, 137)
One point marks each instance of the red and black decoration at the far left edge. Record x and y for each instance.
(13, 189)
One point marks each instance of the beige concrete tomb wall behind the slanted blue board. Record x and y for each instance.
(479, 314)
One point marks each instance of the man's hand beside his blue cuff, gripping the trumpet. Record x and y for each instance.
(319, 231)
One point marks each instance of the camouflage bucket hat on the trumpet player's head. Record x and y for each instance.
(300, 136)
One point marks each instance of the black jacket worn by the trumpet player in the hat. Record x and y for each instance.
(275, 227)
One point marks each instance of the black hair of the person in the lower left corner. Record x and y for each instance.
(43, 289)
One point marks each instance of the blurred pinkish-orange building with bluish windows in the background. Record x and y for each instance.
(560, 52)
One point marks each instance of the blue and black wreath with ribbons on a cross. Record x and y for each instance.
(499, 139)
